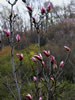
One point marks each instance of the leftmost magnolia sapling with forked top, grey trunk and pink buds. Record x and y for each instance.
(10, 39)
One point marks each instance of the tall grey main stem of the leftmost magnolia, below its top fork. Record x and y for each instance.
(12, 55)
